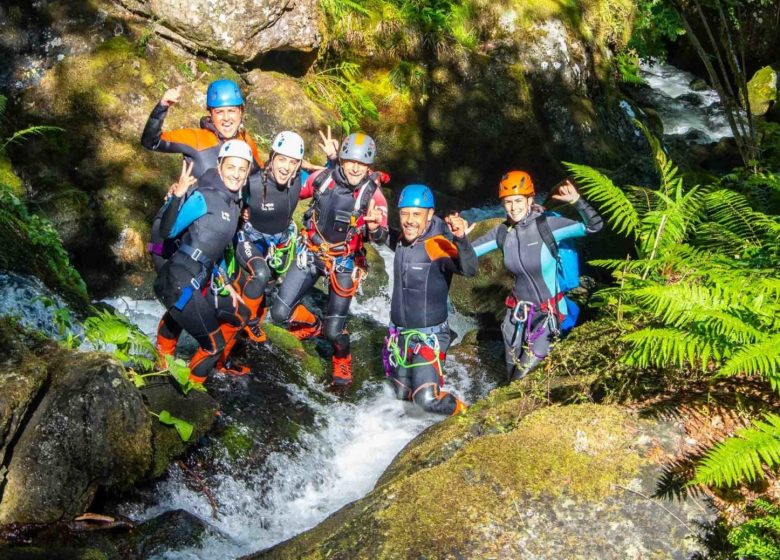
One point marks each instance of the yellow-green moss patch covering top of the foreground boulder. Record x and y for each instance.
(578, 450)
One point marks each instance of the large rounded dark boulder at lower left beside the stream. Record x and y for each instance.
(90, 429)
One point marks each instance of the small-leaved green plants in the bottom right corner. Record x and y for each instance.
(758, 538)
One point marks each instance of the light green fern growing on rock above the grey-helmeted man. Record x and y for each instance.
(338, 88)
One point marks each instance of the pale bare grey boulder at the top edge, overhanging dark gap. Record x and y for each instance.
(235, 31)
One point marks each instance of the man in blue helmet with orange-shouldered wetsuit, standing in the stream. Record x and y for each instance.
(428, 251)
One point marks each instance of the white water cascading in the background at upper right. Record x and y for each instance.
(682, 109)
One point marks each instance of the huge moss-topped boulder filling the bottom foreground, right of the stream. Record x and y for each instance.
(507, 480)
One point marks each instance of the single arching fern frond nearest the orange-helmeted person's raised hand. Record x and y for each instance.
(611, 200)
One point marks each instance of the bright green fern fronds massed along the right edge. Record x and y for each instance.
(703, 294)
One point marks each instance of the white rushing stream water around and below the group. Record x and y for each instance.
(333, 464)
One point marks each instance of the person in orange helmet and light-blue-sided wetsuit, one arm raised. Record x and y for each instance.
(529, 241)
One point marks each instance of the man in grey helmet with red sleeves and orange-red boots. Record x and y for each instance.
(348, 209)
